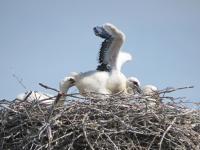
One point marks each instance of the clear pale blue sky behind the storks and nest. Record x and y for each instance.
(43, 41)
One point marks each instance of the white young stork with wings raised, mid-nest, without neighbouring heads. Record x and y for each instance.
(107, 78)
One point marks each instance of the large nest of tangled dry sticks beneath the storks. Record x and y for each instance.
(138, 122)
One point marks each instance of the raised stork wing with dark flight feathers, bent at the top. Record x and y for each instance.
(110, 47)
